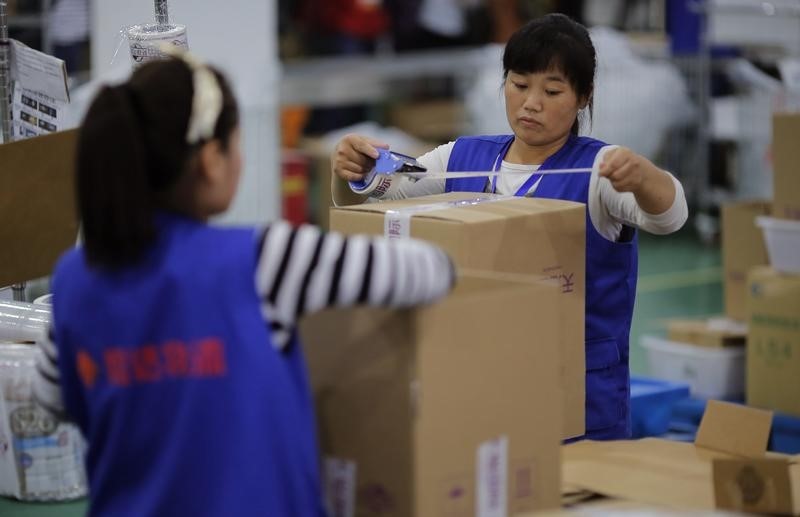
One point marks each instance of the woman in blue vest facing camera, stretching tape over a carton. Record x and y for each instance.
(549, 67)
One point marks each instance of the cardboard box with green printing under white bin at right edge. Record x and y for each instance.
(773, 341)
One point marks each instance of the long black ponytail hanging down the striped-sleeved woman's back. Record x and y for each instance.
(115, 200)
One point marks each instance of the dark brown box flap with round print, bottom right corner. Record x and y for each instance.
(754, 485)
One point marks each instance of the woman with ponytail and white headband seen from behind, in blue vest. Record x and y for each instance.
(173, 342)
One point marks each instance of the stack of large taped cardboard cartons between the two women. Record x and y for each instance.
(458, 408)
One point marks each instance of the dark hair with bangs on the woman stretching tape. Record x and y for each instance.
(554, 41)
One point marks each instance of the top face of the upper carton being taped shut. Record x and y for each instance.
(484, 206)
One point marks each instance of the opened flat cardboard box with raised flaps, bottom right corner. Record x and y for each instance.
(726, 468)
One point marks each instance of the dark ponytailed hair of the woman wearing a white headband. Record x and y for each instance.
(131, 147)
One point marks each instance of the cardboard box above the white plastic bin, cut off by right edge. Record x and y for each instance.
(786, 164)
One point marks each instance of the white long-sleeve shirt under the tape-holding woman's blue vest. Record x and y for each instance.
(609, 210)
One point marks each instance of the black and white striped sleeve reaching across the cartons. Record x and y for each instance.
(302, 270)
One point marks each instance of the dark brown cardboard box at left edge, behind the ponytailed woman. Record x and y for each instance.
(37, 205)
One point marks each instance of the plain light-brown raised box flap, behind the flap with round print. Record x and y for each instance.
(734, 429)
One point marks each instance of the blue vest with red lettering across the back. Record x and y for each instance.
(169, 371)
